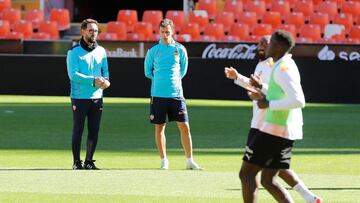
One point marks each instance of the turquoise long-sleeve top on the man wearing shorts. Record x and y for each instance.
(166, 65)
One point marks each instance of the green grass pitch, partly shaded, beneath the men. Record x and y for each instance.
(35, 153)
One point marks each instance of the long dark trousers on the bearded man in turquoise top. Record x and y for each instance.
(92, 110)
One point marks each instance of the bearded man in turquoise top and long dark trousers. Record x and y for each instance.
(87, 68)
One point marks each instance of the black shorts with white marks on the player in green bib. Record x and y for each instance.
(268, 151)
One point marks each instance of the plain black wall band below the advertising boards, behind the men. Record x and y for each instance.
(323, 81)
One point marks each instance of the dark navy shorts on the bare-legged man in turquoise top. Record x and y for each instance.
(173, 108)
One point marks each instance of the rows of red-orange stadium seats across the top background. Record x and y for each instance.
(222, 20)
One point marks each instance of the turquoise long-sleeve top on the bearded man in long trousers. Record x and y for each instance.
(83, 65)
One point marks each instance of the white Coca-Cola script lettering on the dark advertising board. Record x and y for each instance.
(240, 51)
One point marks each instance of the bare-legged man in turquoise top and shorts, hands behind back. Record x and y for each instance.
(166, 64)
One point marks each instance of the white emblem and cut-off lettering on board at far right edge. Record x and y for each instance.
(325, 54)
